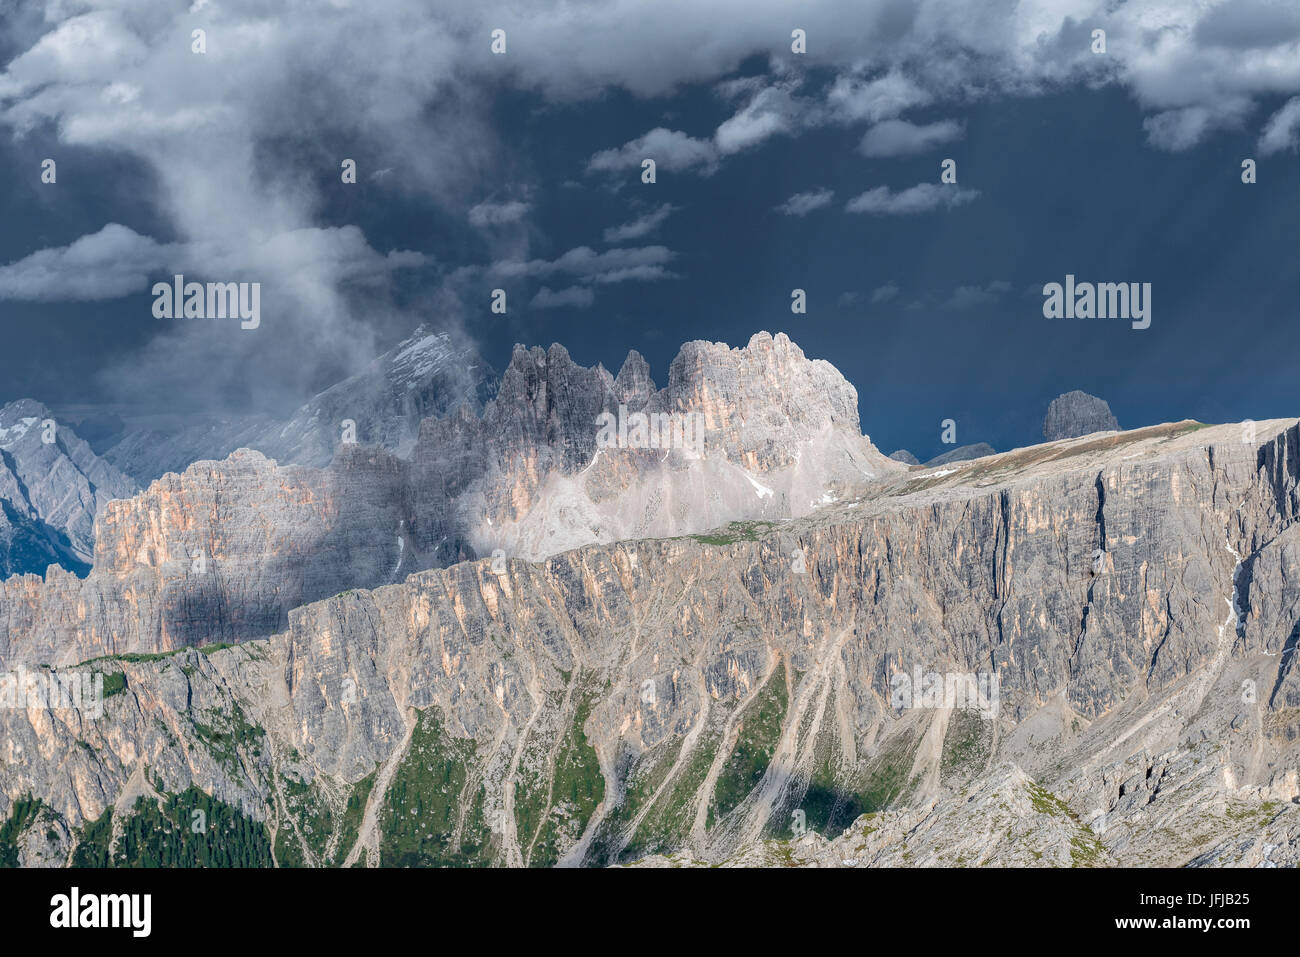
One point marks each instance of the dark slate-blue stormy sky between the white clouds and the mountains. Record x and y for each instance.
(1068, 180)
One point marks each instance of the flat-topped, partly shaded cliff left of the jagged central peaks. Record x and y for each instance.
(220, 553)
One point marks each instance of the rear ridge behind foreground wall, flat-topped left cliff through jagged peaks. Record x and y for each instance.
(224, 551)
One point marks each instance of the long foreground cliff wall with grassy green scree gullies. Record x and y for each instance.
(1136, 596)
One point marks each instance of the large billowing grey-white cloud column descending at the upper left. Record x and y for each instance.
(235, 141)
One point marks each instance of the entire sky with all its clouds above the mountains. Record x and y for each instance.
(523, 172)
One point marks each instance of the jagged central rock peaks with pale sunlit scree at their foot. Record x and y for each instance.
(778, 438)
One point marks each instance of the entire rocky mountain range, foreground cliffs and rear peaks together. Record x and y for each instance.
(483, 634)
